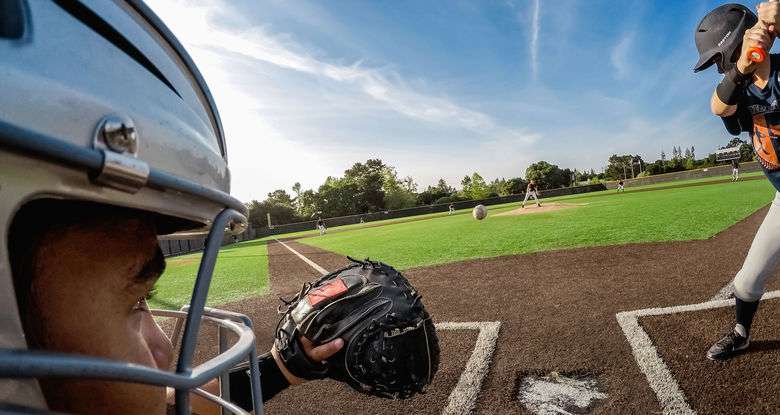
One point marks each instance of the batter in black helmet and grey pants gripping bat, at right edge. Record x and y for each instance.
(746, 99)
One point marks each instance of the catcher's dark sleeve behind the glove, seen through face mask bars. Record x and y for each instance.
(272, 381)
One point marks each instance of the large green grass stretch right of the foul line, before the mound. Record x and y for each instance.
(664, 215)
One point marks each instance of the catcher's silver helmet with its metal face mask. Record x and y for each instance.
(102, 104)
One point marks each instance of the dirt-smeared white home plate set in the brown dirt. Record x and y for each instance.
(557, 394)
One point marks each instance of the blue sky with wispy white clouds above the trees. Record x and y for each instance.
(445, 88)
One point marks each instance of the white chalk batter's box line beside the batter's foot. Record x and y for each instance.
(667, 390)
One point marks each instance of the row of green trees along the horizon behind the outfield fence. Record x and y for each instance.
(374, 186)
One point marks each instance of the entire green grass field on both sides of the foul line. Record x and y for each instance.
(605, 218)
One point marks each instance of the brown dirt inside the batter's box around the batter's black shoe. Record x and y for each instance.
(746, 384)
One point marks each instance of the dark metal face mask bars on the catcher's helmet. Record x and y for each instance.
(22, 363)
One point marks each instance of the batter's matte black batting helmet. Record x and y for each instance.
(719, 36)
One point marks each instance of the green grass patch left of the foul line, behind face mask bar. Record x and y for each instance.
(241, 271)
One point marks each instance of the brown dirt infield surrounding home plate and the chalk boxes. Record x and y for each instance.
(557, 311)
